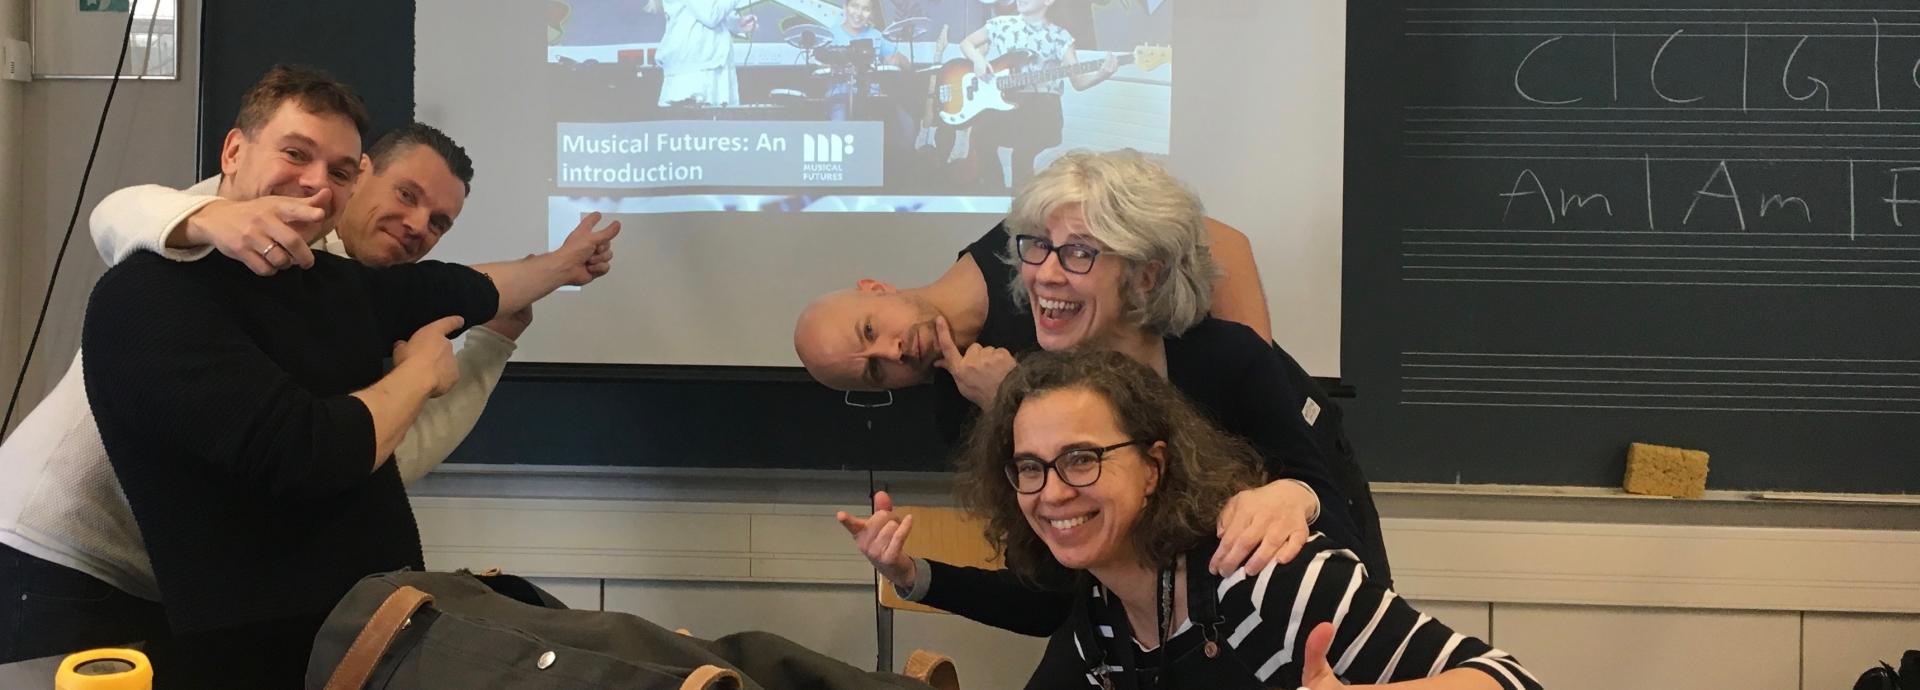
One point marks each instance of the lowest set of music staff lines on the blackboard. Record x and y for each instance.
(1666, 383)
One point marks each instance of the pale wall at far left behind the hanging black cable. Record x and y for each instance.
(149, 139)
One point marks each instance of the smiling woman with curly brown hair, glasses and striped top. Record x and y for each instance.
(1095, 476)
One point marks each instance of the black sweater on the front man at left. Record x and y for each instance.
(224, 403)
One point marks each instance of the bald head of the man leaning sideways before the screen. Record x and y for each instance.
(871, 337)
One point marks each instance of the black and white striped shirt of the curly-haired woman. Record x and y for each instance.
(1260, 626)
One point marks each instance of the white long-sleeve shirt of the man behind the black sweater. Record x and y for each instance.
(59, 497)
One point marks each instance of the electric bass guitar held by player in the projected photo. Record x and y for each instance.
(965, 95)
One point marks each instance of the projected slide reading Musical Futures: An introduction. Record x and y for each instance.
(667, 107)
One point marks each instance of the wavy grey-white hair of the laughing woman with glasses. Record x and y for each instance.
(1143, 214)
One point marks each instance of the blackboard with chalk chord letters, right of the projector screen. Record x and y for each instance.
(1573, 226)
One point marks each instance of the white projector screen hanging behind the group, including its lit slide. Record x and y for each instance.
(761, 153)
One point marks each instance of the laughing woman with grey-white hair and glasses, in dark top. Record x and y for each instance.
(1113, 255)
